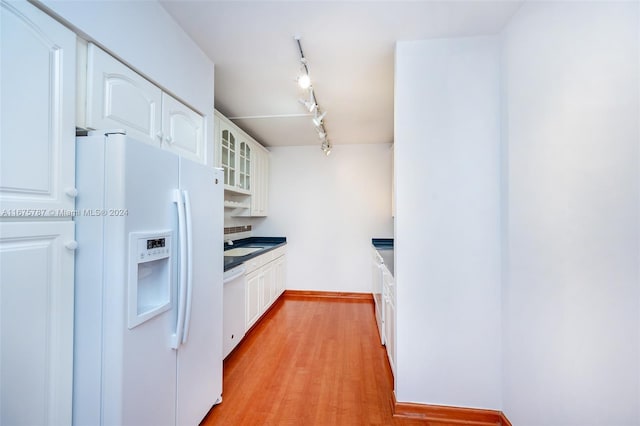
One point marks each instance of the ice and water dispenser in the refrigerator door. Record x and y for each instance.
(150, 258)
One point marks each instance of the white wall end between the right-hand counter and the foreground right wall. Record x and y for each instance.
(447, 152)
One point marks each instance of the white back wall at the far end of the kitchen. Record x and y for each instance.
(329, 208)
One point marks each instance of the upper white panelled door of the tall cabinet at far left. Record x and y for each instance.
(37, 95)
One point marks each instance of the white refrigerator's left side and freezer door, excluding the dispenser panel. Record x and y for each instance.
(124, 186)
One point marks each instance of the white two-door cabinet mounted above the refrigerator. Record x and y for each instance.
(117, 97)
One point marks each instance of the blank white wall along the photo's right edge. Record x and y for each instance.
(571, 294)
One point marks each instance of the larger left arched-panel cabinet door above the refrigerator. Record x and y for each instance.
(119, 98)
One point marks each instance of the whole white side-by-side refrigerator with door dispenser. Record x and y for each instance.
(148, 285)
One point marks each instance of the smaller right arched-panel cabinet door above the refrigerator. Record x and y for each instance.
(183, 130)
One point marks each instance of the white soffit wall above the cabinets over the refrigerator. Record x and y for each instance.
(142, 34)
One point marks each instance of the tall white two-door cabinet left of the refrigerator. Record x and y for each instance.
(37, 181)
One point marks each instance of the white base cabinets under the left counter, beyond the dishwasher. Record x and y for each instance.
(265, 283)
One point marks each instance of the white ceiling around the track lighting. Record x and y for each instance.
(349, 46)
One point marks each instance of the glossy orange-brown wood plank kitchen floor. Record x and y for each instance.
(309, 362)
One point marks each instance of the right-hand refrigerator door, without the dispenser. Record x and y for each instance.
(199, 379)
